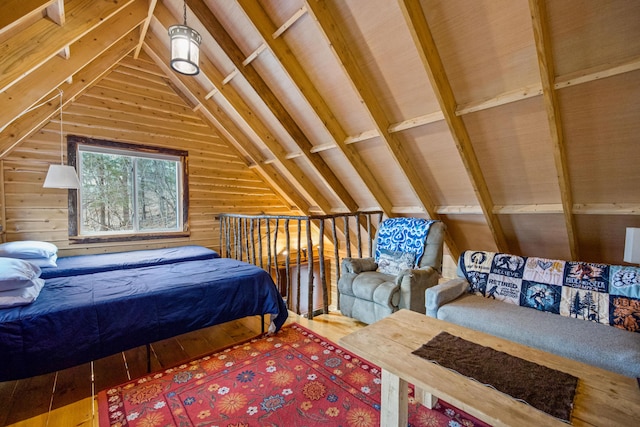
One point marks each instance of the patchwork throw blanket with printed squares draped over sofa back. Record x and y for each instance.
(599, 293)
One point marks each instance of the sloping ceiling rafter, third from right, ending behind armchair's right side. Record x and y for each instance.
(330, 30)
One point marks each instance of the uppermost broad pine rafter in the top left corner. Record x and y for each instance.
(46, 38)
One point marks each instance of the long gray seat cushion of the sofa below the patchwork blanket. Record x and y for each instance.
(599, 345)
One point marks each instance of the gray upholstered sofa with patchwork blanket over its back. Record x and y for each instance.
(583, 311)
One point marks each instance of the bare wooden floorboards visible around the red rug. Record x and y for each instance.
(68, 398)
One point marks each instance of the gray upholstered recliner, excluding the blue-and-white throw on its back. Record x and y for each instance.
(369, 295)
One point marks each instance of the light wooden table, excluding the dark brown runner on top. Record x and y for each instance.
(602, 398)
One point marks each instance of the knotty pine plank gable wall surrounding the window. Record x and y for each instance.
(135, 104)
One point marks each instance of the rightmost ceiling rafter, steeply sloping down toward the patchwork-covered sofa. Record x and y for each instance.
(547, 75)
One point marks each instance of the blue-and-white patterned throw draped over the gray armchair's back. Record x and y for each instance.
(406, 235)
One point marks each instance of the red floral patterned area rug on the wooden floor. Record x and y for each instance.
(293, 378)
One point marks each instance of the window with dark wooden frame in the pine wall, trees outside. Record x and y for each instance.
(128, 190)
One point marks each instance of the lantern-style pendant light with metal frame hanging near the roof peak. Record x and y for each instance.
(185, 47)
